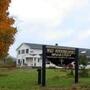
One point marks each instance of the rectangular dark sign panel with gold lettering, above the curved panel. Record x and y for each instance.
(60, 52)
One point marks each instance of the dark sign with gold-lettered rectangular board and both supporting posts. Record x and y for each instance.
(53, 52)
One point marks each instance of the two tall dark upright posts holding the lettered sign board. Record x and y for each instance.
(44, 58)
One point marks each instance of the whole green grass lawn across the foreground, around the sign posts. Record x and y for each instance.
(19, 79)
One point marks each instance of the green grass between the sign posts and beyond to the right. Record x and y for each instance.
(60, 78)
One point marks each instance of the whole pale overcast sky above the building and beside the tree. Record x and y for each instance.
(65, 22)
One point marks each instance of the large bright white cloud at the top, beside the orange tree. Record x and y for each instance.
(50, 12)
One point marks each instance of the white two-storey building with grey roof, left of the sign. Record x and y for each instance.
(30, 55)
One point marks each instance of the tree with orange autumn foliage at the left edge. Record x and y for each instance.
(7, 31)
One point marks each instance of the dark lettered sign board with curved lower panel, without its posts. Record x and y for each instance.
(55, 54)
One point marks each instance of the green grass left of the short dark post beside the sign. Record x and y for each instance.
(18, 79)
